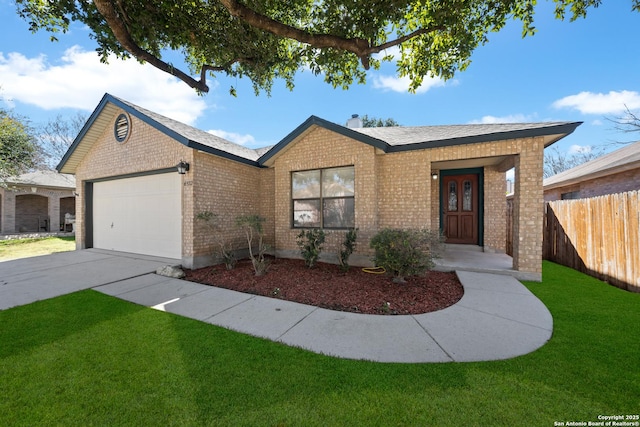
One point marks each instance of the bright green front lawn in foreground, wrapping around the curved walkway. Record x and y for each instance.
(89, 359)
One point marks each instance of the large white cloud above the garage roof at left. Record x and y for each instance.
(78, 80)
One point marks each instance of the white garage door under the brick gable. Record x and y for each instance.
(139, 215)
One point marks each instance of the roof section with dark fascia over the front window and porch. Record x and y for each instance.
(399, 138)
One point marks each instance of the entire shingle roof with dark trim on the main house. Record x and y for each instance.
(388, 139)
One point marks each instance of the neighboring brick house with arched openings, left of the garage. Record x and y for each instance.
(37, 202)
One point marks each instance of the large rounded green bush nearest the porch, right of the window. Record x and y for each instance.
(406, 252)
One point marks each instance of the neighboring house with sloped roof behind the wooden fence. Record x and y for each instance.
(616, 172)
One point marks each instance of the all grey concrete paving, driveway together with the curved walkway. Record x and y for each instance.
(497, 318)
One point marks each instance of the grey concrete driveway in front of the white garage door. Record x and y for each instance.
(27, 280)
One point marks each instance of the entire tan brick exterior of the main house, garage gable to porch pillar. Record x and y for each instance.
(391, 190)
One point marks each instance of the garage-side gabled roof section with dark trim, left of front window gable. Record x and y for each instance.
(187, 135)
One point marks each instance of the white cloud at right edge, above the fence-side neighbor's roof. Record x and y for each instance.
(600, 103)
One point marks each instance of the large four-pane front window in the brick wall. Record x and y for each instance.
(323, 198)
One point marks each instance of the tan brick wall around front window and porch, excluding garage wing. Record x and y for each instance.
(404, 195)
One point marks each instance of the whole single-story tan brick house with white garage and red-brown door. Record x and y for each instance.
(131, 197)
